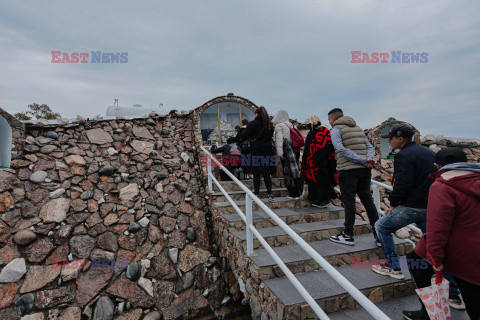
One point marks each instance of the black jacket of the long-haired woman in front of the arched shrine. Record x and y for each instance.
(263, 160)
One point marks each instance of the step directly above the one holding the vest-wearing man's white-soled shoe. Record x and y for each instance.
(310, 231)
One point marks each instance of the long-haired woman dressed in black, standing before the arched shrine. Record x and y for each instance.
(260, 153)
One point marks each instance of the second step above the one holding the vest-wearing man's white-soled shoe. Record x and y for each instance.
(290, 216)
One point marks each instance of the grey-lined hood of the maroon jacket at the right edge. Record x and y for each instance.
(465, 177)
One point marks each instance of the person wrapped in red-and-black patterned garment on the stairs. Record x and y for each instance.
(319, 164)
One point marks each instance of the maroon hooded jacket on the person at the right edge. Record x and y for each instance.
(453, 224)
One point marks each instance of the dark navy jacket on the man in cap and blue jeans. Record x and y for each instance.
(412, 166)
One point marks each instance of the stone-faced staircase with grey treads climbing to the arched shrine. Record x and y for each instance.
(277, 296)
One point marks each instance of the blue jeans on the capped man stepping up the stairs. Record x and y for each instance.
(386, 225)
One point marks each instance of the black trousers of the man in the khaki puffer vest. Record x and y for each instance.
(351, 182)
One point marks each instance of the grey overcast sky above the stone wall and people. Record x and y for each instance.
(293, 54)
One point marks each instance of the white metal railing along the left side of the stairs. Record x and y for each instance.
(251, 231)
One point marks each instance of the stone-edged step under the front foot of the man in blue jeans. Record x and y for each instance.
(330, 296)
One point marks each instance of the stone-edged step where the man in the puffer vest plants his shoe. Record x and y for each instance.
(298, 261)
